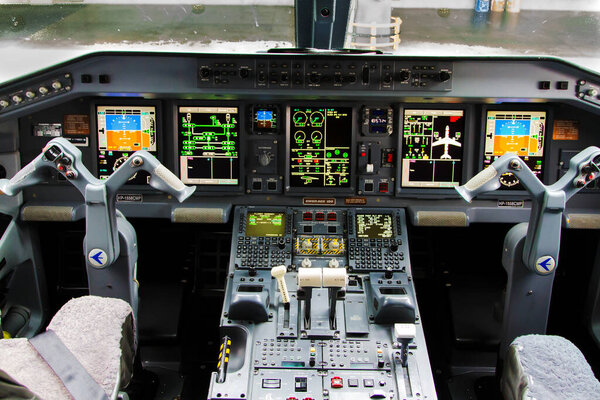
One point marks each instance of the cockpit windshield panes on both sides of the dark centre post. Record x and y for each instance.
(38, 36)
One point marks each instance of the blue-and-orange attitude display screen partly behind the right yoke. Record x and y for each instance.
(518, 132)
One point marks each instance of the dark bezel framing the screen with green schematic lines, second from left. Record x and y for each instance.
(233, 189)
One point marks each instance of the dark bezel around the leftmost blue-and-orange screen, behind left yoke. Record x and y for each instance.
(127, 102)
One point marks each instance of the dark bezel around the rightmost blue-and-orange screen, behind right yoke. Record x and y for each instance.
(547, 145)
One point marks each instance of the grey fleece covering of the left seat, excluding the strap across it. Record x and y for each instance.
(100, 334)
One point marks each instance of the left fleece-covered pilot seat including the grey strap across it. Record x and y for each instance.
(86, 352)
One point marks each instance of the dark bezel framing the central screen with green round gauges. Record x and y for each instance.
(320, 190)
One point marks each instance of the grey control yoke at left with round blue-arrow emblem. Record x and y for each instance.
(100, 195)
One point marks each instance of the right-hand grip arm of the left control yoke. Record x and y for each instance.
(161, 178)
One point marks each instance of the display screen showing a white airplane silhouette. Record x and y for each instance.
(432, 148)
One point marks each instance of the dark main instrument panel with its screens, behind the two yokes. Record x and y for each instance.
(313, 130)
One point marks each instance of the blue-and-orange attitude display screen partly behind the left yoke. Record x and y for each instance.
(123, 130)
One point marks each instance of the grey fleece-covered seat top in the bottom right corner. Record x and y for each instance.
(545, 367)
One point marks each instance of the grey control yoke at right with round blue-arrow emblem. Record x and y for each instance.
(540, 252)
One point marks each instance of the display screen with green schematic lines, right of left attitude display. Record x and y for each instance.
(208, 140)
